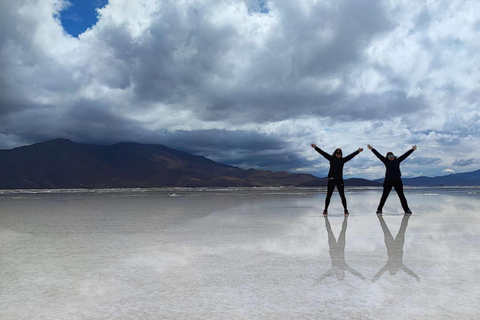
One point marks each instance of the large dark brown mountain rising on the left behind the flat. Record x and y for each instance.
(61, 163)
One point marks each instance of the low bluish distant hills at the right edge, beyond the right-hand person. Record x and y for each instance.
(456, 179)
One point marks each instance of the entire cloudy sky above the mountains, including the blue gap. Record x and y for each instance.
(249, 83)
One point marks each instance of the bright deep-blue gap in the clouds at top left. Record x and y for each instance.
(80, 15)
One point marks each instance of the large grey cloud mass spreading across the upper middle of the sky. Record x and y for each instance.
(183, 59)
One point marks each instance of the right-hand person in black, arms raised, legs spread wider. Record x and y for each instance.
(393, 177)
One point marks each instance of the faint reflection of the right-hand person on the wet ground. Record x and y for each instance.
(394, 249)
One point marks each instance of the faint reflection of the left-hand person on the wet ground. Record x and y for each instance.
(337, 253)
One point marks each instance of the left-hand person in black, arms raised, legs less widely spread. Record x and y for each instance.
(335, 175)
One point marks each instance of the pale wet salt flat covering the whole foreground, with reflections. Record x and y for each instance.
(238, 254)
